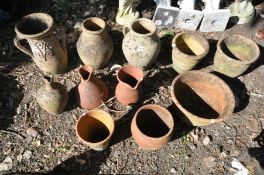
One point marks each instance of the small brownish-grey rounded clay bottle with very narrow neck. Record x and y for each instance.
(52, 96)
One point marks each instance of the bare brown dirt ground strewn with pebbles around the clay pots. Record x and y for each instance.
(39, 143)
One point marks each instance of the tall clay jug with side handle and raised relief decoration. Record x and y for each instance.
(46, 50)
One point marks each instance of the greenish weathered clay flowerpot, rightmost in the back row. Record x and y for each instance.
(234, 55)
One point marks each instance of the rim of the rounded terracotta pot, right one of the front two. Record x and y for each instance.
(158, 107)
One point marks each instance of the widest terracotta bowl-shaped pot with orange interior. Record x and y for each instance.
(202, 98)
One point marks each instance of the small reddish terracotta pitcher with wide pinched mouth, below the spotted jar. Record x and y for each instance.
(128, 89)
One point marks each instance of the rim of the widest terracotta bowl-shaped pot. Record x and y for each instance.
(228, 91)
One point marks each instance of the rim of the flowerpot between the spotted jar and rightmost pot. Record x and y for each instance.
(204, 42)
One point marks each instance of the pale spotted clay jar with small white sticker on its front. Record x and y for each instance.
(141, 44)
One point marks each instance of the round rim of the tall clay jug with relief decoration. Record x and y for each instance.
(49, 22)
